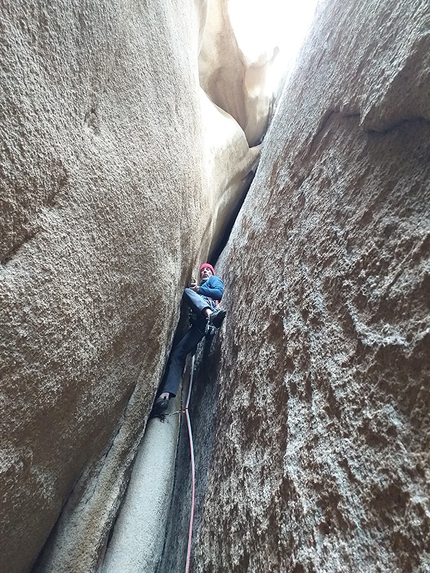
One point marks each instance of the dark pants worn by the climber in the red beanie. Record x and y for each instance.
(187, 344)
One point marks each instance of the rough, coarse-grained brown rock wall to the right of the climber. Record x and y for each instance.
(321, 448)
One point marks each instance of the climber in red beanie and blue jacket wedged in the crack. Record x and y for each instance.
(203, 301)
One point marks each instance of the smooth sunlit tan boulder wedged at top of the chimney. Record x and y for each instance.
(234, 83)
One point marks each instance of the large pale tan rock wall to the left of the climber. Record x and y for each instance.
(106, 204)
